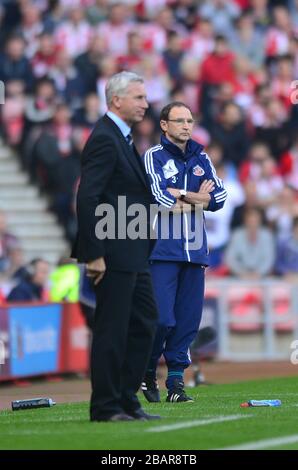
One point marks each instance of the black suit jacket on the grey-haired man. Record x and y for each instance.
(111, 168)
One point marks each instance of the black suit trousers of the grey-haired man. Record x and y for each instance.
(123, 333)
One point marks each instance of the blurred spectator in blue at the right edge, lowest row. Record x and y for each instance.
(287, 255)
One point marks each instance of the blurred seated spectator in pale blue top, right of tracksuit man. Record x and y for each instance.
(250, 253)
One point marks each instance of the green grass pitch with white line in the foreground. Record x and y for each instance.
(215, 420)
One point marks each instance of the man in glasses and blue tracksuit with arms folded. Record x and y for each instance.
(183, 183)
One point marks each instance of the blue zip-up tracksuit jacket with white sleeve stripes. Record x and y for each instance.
(167, 166)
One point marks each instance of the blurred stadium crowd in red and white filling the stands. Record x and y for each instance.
(234, 63)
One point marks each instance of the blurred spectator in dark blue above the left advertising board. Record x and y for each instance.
(32, 288)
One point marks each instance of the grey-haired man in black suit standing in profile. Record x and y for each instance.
(126, 315)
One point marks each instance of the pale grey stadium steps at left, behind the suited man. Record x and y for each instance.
(27, 212)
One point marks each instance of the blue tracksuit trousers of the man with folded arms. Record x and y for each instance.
(179, 294)
